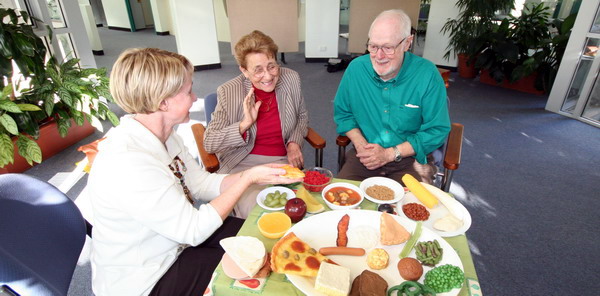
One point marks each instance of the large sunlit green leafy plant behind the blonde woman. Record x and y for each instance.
(38, 91)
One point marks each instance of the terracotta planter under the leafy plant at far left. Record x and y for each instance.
(50, 143)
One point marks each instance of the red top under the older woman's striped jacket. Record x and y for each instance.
(269, 137)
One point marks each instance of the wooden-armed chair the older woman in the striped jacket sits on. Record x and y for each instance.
(210, 160)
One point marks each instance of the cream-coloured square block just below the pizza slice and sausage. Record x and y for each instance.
(333, 280)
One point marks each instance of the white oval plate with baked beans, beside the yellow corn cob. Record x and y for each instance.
(448, 218)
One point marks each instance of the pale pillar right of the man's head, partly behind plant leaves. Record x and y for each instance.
(435, 42)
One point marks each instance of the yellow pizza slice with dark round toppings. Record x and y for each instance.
(291, 255)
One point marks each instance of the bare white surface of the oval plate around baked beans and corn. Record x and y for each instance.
(440, 211)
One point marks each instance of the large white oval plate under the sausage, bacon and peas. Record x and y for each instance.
(326, 224)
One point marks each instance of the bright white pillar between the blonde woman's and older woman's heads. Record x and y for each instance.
(196, 32)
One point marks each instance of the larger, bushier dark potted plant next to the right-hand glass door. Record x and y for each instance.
(522, 53)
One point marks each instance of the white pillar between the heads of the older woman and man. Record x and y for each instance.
(322, 28)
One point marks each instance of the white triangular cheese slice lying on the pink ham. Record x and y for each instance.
(246, 251)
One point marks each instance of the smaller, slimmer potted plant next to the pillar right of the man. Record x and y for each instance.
(476, 18)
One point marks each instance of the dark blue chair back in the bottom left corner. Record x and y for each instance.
(42, 234)
